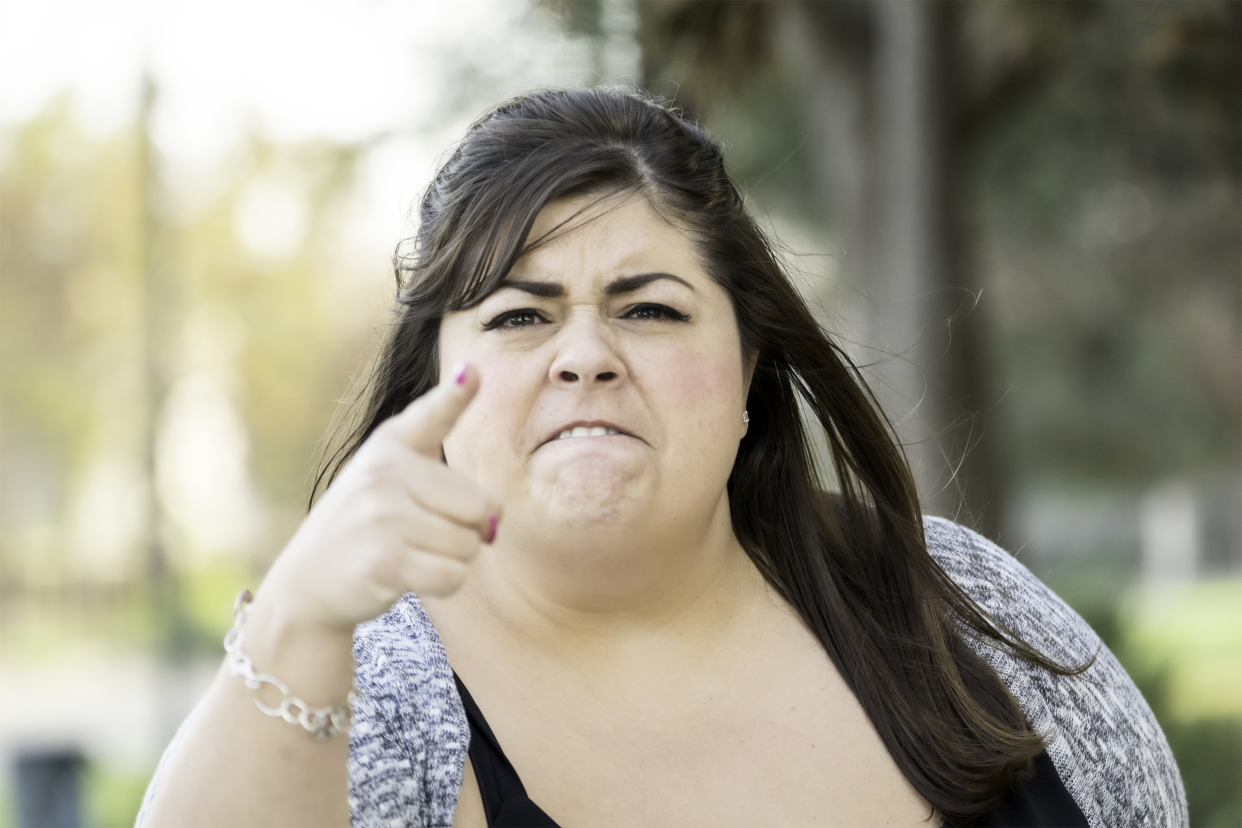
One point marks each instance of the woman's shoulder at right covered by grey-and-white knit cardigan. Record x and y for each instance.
(1104, 738)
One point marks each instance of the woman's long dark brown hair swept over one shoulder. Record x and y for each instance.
(854, 565)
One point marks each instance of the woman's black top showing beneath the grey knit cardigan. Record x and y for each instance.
(1041, 801)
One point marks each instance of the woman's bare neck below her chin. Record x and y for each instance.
(589, 588)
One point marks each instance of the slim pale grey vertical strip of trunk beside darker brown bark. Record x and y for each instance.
(906, 263)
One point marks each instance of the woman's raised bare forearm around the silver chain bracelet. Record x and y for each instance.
(238, 768)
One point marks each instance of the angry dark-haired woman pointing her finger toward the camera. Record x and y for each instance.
(635, 606)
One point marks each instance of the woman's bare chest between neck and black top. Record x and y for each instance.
(777, 740)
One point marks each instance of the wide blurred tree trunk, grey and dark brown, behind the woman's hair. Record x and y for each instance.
(880, 101)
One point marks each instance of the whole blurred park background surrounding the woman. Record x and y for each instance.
(1024, 219)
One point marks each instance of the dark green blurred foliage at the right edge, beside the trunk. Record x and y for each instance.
(1111, 213)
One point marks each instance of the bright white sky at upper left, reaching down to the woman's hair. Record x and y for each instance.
(343, 70)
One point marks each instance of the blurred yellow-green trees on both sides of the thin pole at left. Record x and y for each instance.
(253, 336)
